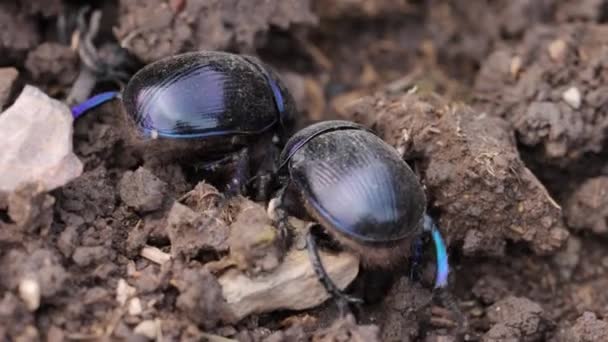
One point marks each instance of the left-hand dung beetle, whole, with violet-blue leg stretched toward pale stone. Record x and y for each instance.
(218, 107)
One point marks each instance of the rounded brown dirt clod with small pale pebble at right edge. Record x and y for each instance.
(556, 103)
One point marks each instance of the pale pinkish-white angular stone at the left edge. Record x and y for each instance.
(36, 142)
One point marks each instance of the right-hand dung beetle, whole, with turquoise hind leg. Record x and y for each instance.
(361, 192)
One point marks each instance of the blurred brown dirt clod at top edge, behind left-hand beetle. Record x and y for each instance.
(152, 30)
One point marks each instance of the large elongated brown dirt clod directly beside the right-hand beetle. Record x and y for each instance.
(472, 169)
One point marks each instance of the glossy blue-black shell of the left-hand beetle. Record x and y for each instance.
(204, 94)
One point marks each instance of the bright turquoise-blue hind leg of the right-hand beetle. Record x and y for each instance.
(441, 279)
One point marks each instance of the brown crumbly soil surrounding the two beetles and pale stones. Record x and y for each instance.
(499, 106)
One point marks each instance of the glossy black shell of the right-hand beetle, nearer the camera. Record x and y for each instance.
(355, 182)
